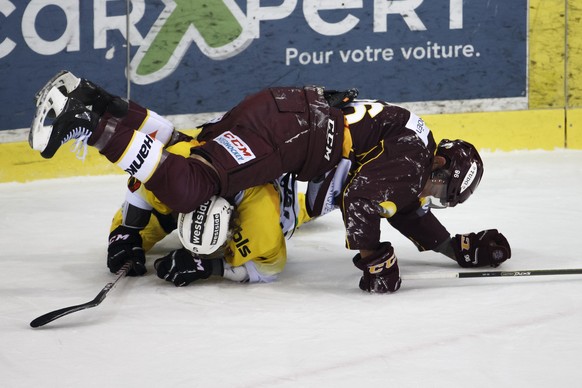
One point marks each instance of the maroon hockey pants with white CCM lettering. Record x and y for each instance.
(272, 132)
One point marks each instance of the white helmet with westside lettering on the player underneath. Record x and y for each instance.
(205, 229)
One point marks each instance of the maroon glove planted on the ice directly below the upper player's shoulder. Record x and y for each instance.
(381, 274)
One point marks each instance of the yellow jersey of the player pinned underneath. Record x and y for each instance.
(264, 215)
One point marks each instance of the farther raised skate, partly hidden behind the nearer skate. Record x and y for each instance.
(86, 92)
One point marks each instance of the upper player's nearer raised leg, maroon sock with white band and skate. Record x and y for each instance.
(181, 183)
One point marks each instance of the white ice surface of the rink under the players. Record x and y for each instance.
(313, 327)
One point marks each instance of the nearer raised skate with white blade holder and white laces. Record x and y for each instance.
(73, 121)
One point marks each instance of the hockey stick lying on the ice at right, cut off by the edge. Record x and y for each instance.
(491, 274)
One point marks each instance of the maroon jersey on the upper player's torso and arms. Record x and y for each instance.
(393, 152)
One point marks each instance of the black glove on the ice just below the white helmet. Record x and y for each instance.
(182, 267)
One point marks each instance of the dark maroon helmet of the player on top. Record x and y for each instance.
(463, 170)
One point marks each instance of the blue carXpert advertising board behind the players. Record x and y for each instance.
(202, 55)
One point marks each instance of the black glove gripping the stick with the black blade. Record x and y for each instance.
(125, 245)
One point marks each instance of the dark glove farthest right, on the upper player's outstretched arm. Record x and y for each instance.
(486, 248)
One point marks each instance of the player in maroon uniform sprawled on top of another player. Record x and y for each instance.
(380, 156)
